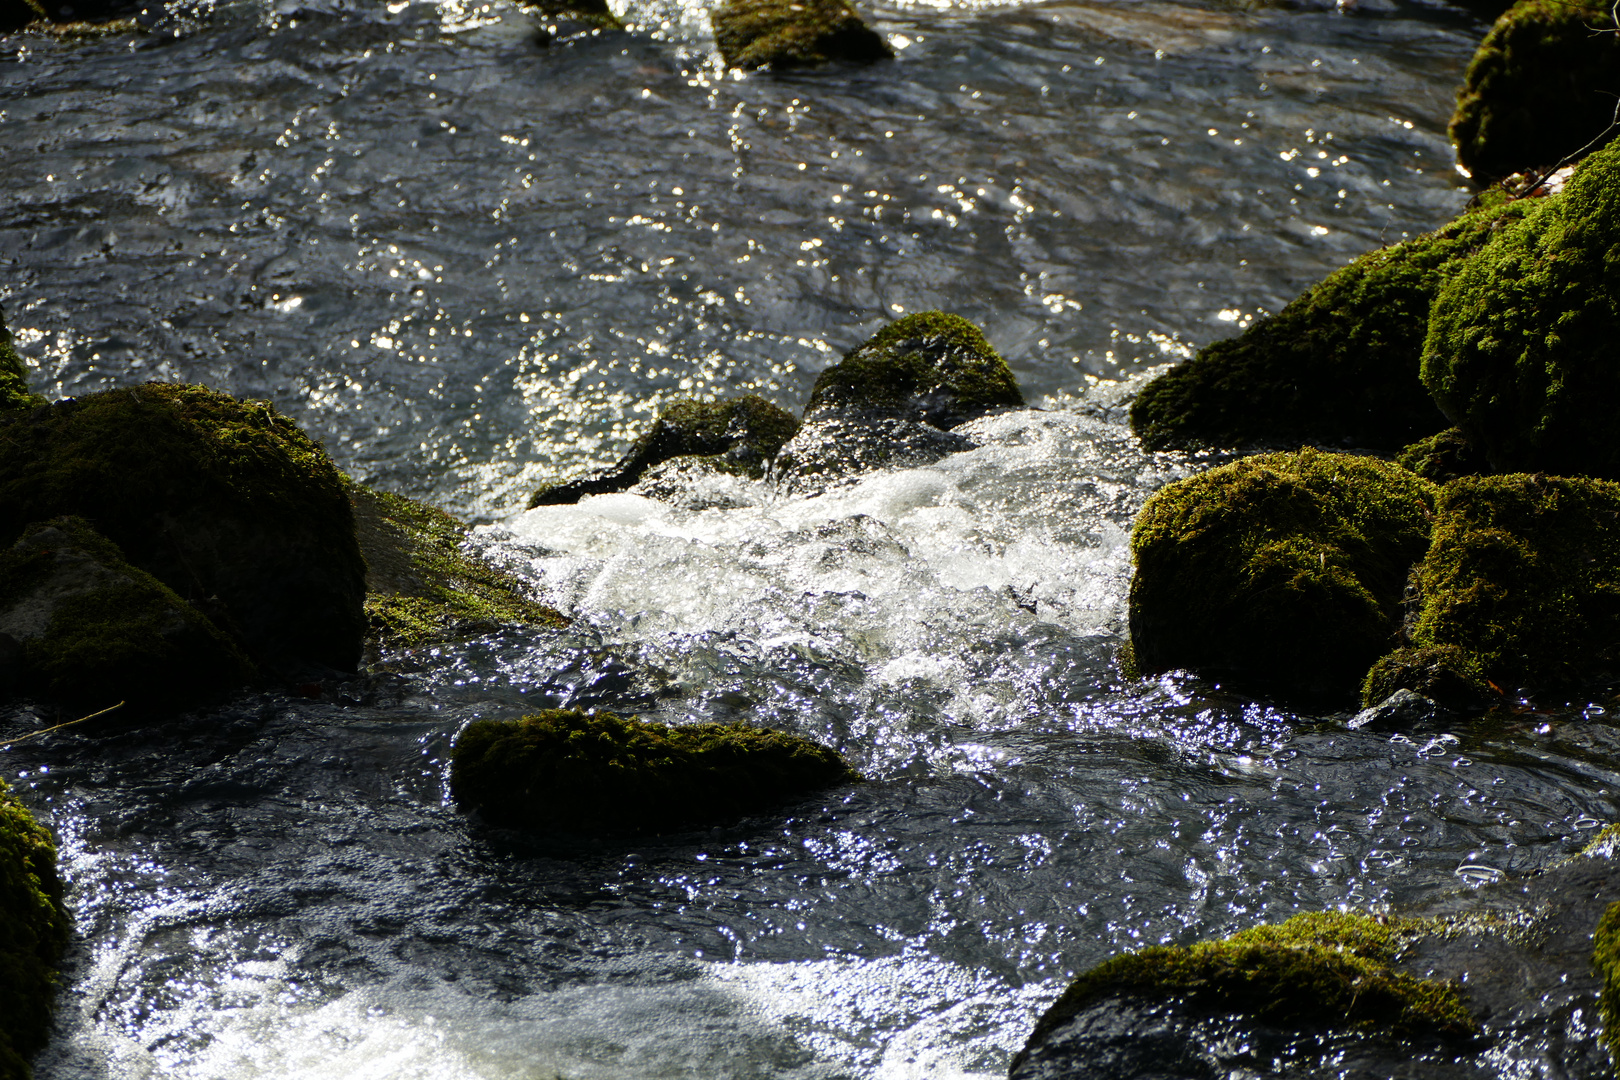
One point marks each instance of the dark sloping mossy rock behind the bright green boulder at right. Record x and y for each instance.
(1337, 367)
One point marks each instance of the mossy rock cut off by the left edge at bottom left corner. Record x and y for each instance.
(35, 930)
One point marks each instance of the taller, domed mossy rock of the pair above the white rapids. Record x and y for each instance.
(931, 367)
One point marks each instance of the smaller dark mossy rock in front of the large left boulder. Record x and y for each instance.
(96, 631)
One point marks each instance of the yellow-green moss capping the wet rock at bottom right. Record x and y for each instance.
(1323, 969)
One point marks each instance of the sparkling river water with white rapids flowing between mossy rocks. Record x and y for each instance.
(471, 265)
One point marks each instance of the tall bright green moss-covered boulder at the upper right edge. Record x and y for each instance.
(1524, 347)
